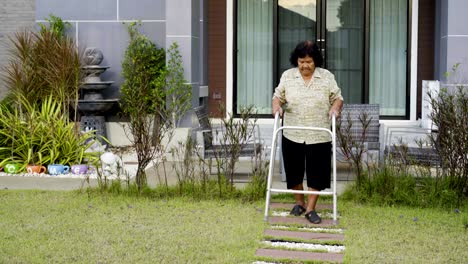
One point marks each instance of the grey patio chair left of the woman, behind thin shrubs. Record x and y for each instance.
(212, 148)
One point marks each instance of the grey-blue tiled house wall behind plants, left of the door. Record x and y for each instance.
(100, 24)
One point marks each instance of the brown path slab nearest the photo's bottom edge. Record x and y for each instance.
(299, 255)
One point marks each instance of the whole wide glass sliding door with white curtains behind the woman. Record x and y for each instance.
(364, 43)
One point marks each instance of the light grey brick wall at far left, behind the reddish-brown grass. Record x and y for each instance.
(14, 15)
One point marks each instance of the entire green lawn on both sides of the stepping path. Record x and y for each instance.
(68, 227)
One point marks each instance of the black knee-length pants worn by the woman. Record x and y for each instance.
(314, 159)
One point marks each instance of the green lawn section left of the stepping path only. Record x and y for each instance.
(66, 227)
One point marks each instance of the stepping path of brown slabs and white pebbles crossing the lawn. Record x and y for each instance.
(300, 240)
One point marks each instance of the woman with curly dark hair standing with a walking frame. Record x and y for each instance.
(310, 96)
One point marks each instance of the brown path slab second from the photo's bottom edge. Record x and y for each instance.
(303, 235)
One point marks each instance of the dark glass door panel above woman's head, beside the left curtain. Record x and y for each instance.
(296, 22)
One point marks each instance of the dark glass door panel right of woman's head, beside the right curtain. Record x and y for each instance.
(345, 46)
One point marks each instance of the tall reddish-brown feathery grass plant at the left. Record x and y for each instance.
(42, 64)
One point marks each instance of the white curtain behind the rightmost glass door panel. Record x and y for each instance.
(388, 63)
